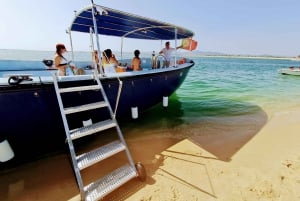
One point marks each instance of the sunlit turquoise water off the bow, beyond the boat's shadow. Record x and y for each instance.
(217, 83)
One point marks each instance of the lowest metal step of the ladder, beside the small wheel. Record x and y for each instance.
(110, 182)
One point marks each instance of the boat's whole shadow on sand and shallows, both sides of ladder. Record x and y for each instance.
(219, 127)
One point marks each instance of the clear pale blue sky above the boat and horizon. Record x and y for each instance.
(234, 26)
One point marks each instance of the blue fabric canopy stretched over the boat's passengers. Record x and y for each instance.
(117, 23)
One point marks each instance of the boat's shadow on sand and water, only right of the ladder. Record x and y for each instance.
(218, 128)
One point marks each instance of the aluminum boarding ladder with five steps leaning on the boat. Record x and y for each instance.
(101, 187)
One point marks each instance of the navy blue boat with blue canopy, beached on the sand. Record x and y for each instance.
(31, 123)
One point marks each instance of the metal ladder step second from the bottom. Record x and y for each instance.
(87, 159)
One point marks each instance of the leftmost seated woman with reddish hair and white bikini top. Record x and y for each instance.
(60, 62)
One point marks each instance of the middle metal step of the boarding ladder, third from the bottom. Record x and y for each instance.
(91, 129)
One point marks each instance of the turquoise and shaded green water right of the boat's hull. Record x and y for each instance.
(231, 96)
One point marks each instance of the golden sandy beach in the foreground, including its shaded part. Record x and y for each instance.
(261, 165)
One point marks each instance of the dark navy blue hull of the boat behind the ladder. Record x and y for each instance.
(31, 120)
